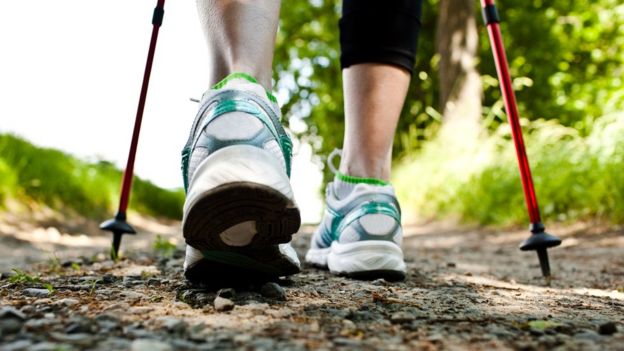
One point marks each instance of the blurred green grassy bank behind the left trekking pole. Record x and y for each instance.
(61, 181)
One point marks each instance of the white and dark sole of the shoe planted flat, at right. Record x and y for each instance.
(363, 260)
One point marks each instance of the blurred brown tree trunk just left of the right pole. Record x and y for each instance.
(460, 83)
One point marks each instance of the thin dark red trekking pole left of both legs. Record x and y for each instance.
(118, 225)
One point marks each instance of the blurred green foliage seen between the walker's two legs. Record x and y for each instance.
(307, 71)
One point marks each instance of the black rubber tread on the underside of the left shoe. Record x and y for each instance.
(276, 218)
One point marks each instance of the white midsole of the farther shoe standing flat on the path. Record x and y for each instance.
(362, 256)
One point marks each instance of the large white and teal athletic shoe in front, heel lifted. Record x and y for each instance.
(239, 213)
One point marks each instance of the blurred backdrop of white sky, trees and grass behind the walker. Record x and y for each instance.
(70, 75)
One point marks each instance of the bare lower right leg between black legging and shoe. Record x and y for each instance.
(374, 97)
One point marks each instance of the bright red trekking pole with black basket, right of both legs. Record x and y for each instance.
(539, 240)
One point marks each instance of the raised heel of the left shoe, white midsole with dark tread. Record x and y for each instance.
(239, 199)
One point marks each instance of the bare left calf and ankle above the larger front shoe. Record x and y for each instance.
(241, 37)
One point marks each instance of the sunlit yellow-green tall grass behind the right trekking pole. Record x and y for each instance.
(577, 177)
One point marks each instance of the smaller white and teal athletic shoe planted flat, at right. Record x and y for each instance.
(360, 234)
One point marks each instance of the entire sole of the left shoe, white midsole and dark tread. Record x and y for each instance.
(212, 208)
